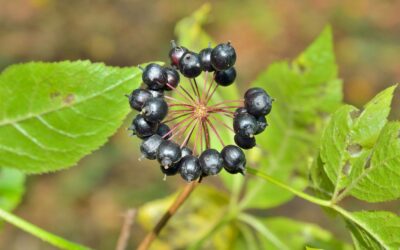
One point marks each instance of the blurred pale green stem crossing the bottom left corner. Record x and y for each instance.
(40, 233)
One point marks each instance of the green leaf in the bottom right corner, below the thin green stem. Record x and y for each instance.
(375, 230)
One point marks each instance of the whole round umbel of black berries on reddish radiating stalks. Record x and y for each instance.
(180, 120)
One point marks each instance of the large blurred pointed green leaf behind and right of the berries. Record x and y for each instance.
(299, 87)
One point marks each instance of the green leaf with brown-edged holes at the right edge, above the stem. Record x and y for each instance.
(360, 151)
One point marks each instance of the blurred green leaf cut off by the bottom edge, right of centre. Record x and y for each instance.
(282, 233)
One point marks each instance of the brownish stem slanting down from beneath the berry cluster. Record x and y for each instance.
(150, 237)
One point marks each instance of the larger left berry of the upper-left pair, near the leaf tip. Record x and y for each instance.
(154, 76)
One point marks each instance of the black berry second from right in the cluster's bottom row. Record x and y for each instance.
(211, 162)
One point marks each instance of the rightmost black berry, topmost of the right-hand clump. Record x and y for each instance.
(258, 103)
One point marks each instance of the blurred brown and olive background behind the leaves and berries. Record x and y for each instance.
(86, 203)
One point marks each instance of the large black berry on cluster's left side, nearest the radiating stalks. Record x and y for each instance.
(155, 109)
